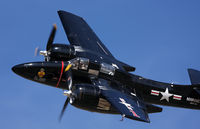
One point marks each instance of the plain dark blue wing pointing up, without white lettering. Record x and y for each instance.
(80, 34)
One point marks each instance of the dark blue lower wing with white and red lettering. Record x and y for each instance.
(129, 106)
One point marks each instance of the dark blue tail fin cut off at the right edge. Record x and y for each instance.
(194, 76)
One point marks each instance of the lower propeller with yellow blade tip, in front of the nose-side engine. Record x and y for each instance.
(68, 75)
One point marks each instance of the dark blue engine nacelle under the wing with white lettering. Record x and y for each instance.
(88, 97)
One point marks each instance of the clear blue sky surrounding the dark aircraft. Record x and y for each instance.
(161, 38)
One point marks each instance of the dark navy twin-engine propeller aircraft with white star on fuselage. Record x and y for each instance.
(94, 80)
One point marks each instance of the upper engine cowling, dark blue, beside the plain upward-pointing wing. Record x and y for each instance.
(60, 52)
